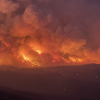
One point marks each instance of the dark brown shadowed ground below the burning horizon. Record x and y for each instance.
(80, 82)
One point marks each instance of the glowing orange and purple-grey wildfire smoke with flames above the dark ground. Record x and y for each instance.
(49, 32)
